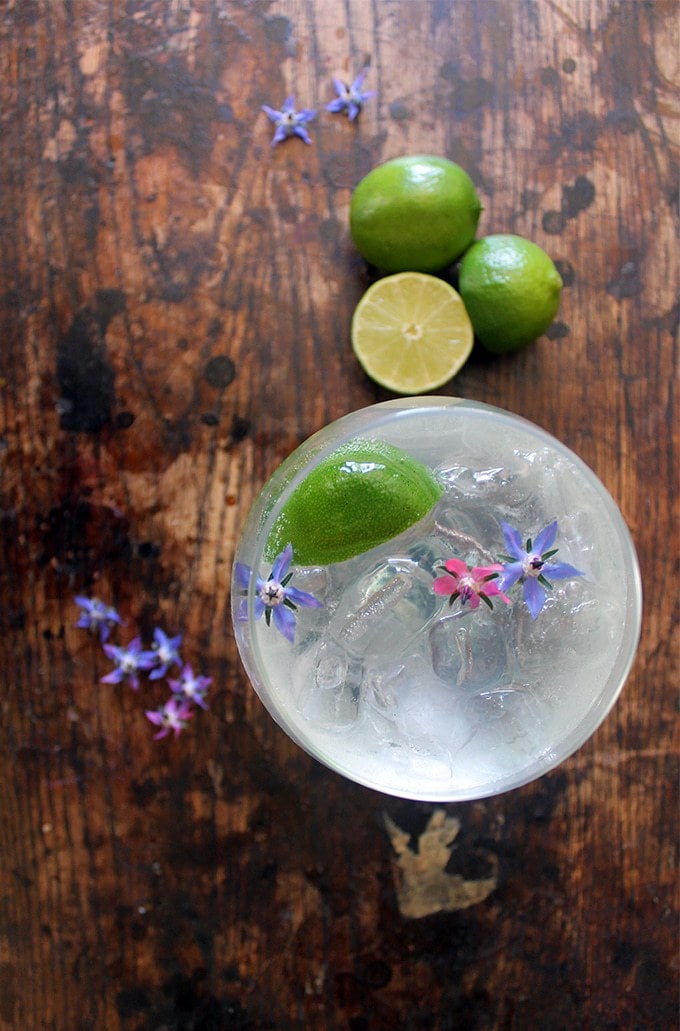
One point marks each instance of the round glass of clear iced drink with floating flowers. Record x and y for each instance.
(473, 651)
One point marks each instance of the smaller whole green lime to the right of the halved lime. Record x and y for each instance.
(512, 290)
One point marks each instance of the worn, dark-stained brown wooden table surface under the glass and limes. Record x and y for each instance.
(176, 303)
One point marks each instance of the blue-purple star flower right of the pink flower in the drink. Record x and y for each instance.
(530, 566)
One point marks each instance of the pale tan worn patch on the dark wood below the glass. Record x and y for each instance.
(424, 887)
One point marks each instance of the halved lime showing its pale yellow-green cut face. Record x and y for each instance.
(412, 332)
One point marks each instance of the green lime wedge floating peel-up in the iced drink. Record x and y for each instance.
(363, 494)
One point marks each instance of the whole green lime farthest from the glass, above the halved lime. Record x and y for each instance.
(415, 214)
